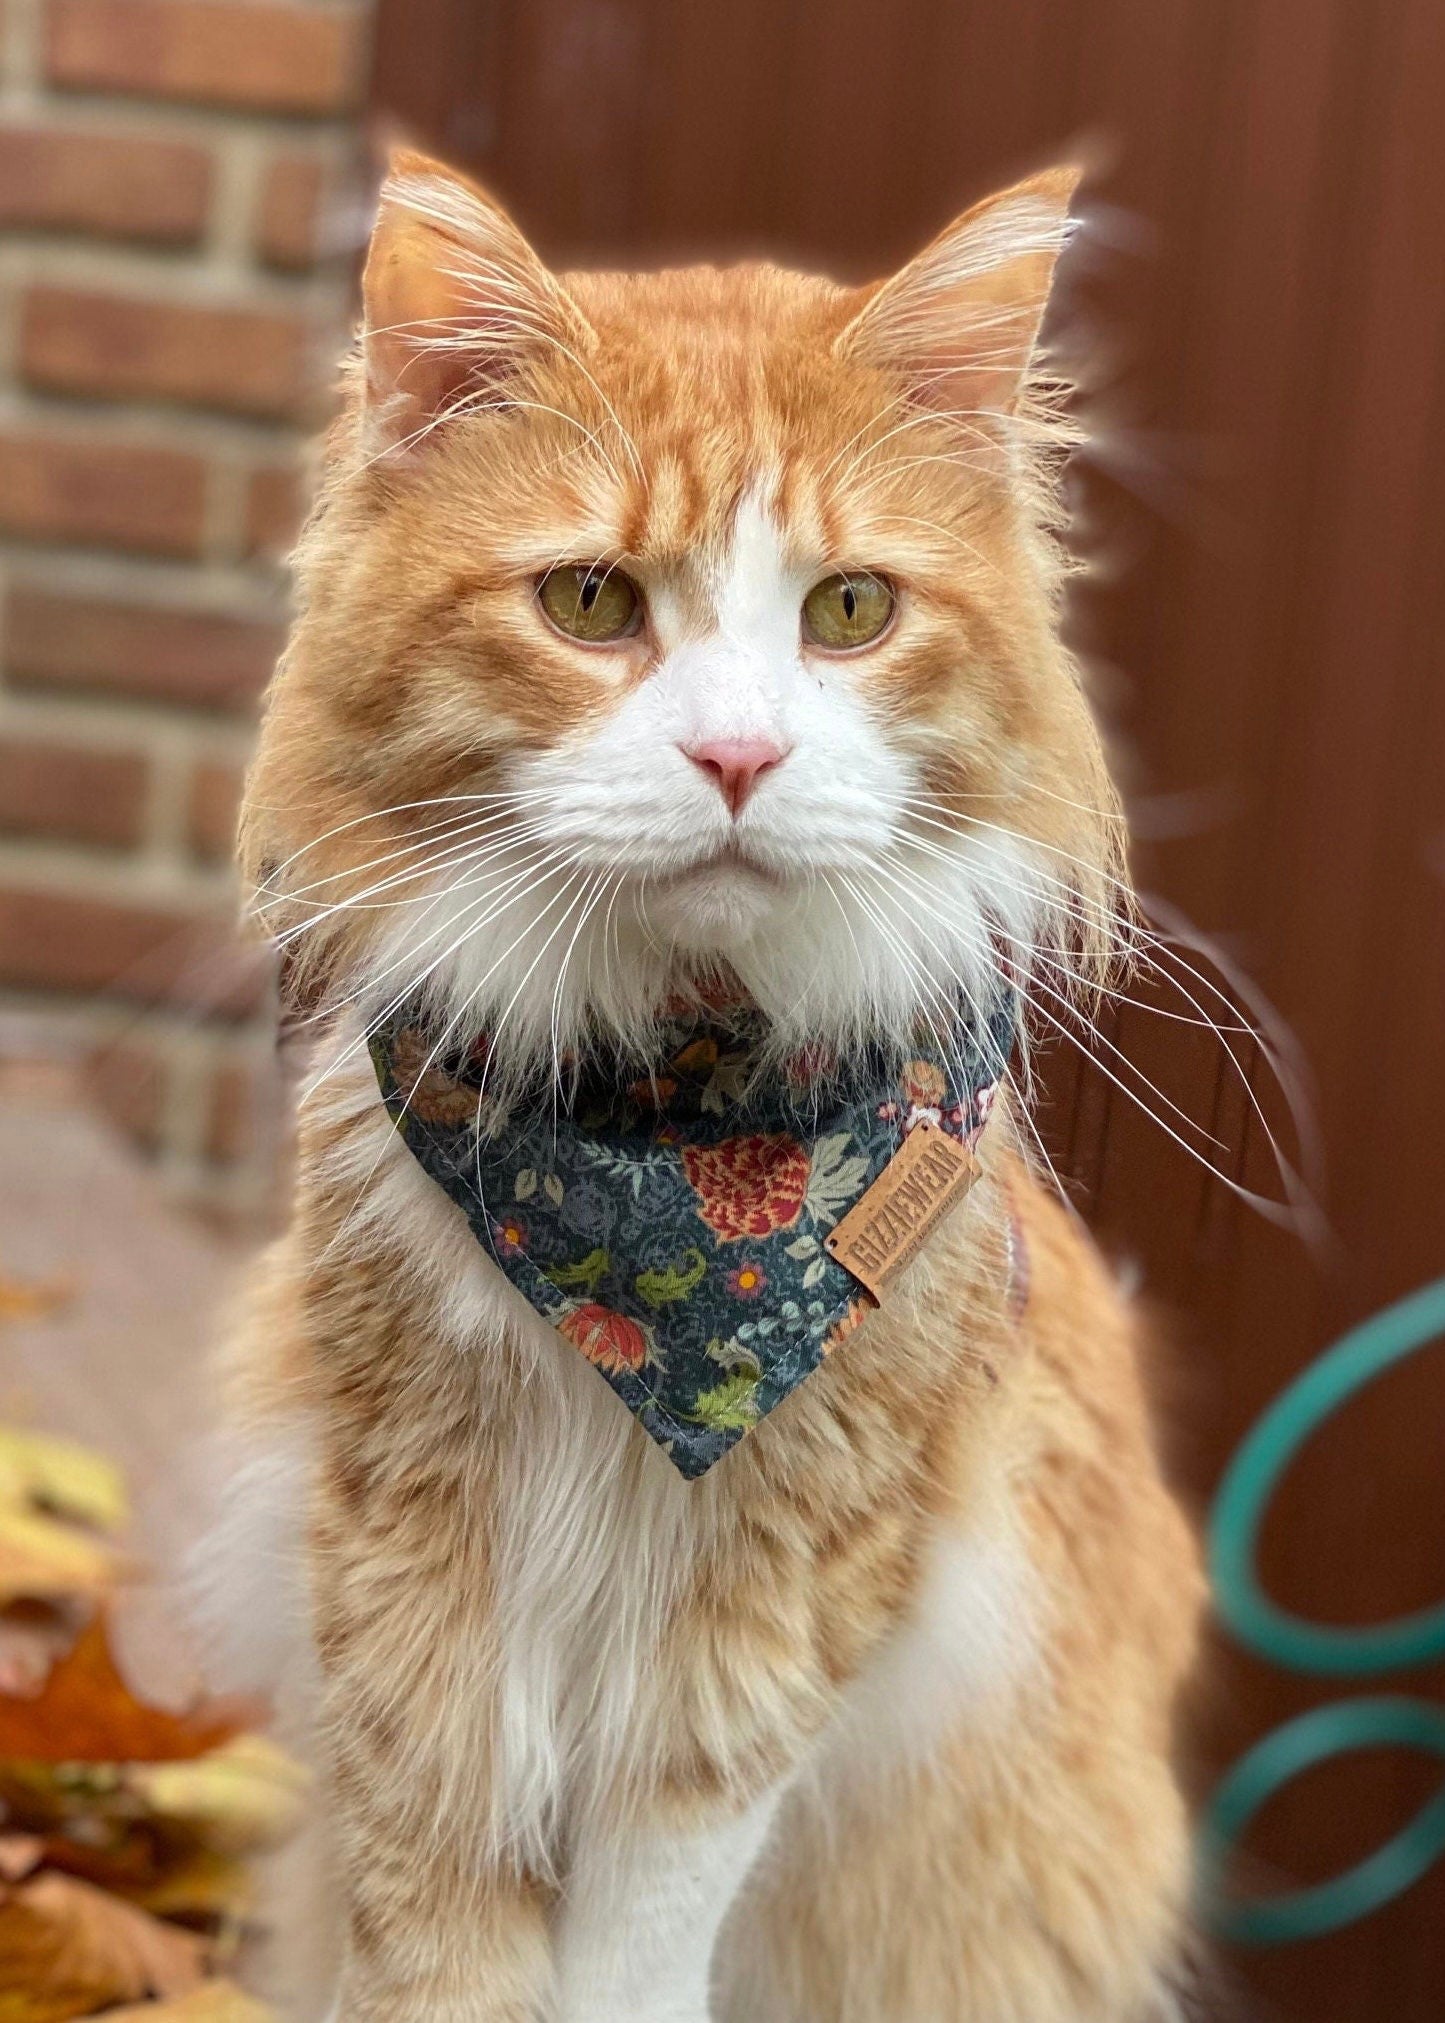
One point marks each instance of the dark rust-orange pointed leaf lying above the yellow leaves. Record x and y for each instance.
(88, 1714)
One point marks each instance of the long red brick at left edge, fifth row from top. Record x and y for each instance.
(161, 652)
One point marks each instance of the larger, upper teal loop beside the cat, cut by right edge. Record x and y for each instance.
(1316, 1648)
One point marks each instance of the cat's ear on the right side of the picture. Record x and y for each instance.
(960, 323)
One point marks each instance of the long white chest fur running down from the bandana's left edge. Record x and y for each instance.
(596, 1532)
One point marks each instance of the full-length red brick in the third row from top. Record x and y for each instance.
(246, 361)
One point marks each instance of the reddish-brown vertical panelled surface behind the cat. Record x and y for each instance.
(1266, 630)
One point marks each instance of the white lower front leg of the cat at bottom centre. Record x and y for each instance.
(641, 1917)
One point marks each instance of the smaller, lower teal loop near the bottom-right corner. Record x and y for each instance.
(1274, 1763)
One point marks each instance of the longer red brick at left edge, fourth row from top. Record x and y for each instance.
(120, 495)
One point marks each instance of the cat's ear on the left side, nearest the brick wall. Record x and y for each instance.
(454, 304)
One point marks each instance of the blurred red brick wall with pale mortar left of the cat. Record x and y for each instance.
(179, 213)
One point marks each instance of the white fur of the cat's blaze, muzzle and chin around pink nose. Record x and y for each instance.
(839, 911)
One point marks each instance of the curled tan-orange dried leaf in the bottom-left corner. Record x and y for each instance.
(68, 1951)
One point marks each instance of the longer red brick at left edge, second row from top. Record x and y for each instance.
(114, 185)
